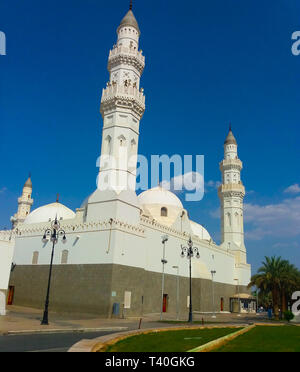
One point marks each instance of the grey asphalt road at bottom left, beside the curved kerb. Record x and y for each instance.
(54, 342)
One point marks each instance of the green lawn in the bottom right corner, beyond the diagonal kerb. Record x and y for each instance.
(266, 339)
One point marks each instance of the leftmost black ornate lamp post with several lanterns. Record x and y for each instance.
(54, 232)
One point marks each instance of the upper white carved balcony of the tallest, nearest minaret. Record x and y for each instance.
(122, 55)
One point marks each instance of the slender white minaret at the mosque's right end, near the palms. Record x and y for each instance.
(231, 194)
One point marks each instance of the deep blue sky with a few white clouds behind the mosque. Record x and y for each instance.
(208, 63)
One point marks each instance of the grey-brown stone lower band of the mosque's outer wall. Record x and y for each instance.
(95, 288)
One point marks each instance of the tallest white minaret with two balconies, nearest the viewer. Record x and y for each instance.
(122, 107)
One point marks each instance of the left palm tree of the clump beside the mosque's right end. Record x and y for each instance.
(269, 279)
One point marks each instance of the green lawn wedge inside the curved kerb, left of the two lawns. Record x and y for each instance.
(170, 341)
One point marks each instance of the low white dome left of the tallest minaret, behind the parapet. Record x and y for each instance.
(49, 212)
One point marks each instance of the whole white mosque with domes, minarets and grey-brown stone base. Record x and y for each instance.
(111, 262)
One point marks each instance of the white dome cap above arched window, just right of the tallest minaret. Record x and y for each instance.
(161, 196)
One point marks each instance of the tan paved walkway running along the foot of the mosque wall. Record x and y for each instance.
(27, 320)
